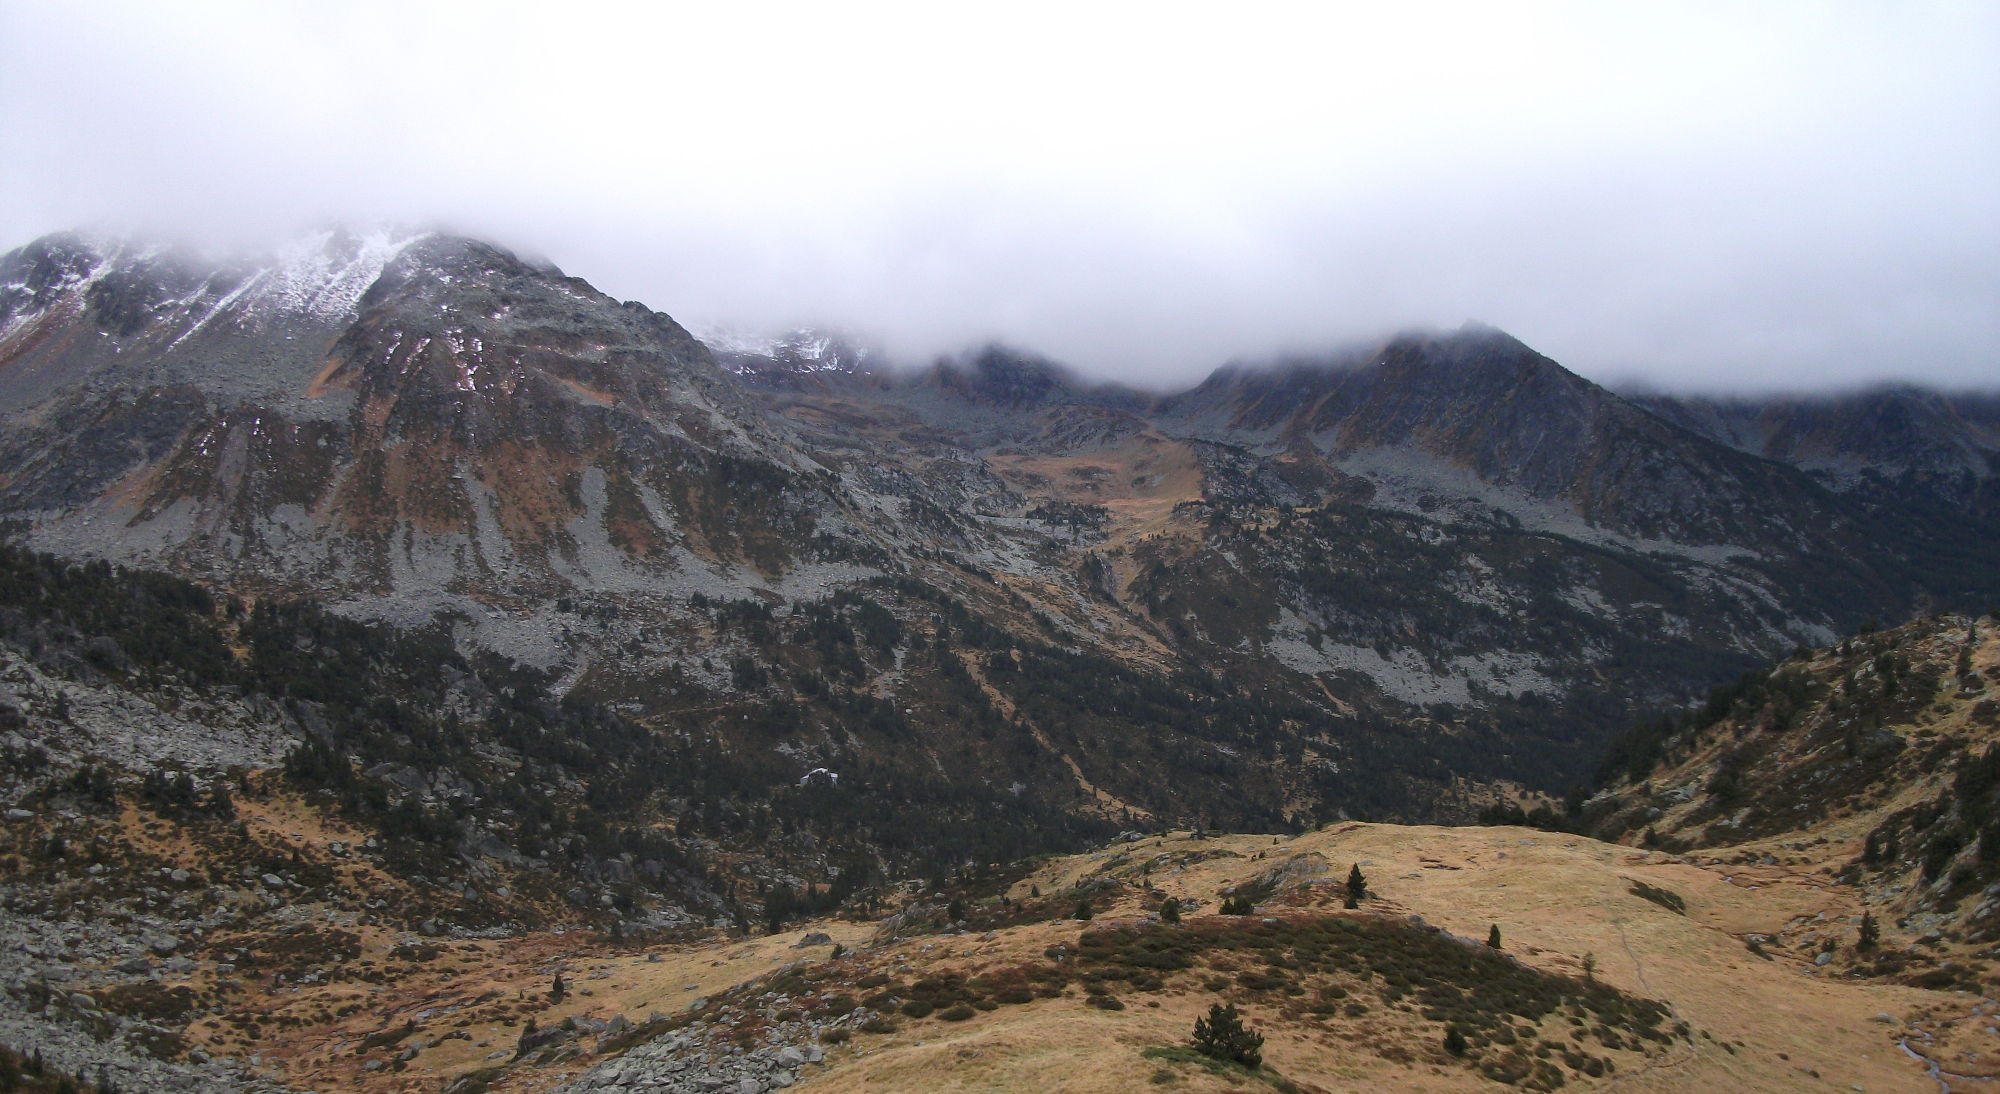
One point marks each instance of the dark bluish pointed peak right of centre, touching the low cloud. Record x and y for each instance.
(1521, 425)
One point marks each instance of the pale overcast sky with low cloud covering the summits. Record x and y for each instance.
(1685, 195)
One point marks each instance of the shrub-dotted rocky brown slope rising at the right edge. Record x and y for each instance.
(1879, 753)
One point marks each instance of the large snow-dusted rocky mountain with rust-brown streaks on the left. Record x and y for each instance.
(439, 427)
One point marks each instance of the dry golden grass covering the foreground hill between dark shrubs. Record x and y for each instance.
(1759, 1025)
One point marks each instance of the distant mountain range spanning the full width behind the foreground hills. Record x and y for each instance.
(1393, 581)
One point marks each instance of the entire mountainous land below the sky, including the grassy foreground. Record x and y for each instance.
(415, 653)
